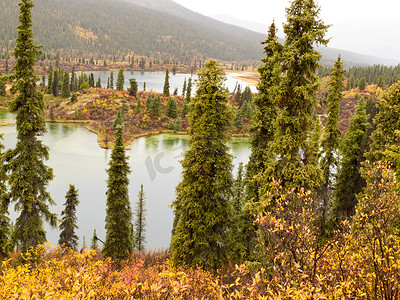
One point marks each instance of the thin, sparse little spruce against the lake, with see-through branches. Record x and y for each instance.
(139, 239)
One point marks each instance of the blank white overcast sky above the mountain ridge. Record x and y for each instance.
(364, 26)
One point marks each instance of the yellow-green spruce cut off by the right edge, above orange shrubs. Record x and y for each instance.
(387, 122)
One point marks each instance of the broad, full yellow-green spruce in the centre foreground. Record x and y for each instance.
(202, 205)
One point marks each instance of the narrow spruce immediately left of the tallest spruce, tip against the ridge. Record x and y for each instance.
(264, 114)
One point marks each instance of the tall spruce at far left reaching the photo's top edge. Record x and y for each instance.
(28, 175)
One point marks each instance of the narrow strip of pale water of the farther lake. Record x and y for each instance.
(155, 80)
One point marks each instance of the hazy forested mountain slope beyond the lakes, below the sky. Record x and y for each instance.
(158, 28)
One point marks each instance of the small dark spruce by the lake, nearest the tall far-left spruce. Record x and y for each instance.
(68, 238)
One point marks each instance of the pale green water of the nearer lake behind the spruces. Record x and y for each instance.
(77, 159)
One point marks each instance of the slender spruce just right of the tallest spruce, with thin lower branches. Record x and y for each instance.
(330, 142)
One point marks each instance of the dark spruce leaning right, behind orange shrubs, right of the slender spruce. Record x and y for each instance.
(349, 181)
